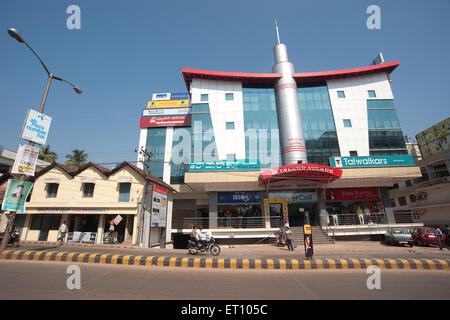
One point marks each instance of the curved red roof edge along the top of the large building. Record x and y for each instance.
(189, 74)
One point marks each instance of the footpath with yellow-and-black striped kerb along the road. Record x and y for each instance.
(341, 255)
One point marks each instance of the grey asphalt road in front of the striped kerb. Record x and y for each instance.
(47, 280)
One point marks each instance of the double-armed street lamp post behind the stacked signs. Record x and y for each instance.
(16, 35)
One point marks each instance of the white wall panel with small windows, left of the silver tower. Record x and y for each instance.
(222, 111)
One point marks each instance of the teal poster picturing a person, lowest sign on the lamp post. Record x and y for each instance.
(16, 195)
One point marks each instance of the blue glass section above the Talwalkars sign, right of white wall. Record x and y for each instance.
(385, 133)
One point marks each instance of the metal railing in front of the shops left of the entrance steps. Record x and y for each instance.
(232, 222)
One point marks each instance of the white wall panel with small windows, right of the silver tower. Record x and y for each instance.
(354, 107)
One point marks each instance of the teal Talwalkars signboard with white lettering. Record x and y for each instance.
(372, 161)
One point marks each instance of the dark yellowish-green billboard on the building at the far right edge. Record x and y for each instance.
(435, 139)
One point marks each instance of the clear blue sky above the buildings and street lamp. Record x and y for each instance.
(127, 50)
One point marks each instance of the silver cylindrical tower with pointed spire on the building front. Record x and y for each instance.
(292, 142)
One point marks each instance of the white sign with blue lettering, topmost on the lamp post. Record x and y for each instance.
(36, 127)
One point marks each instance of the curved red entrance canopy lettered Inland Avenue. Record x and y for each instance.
(309, 171)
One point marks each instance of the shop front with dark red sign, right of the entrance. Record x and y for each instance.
(354, 206)
